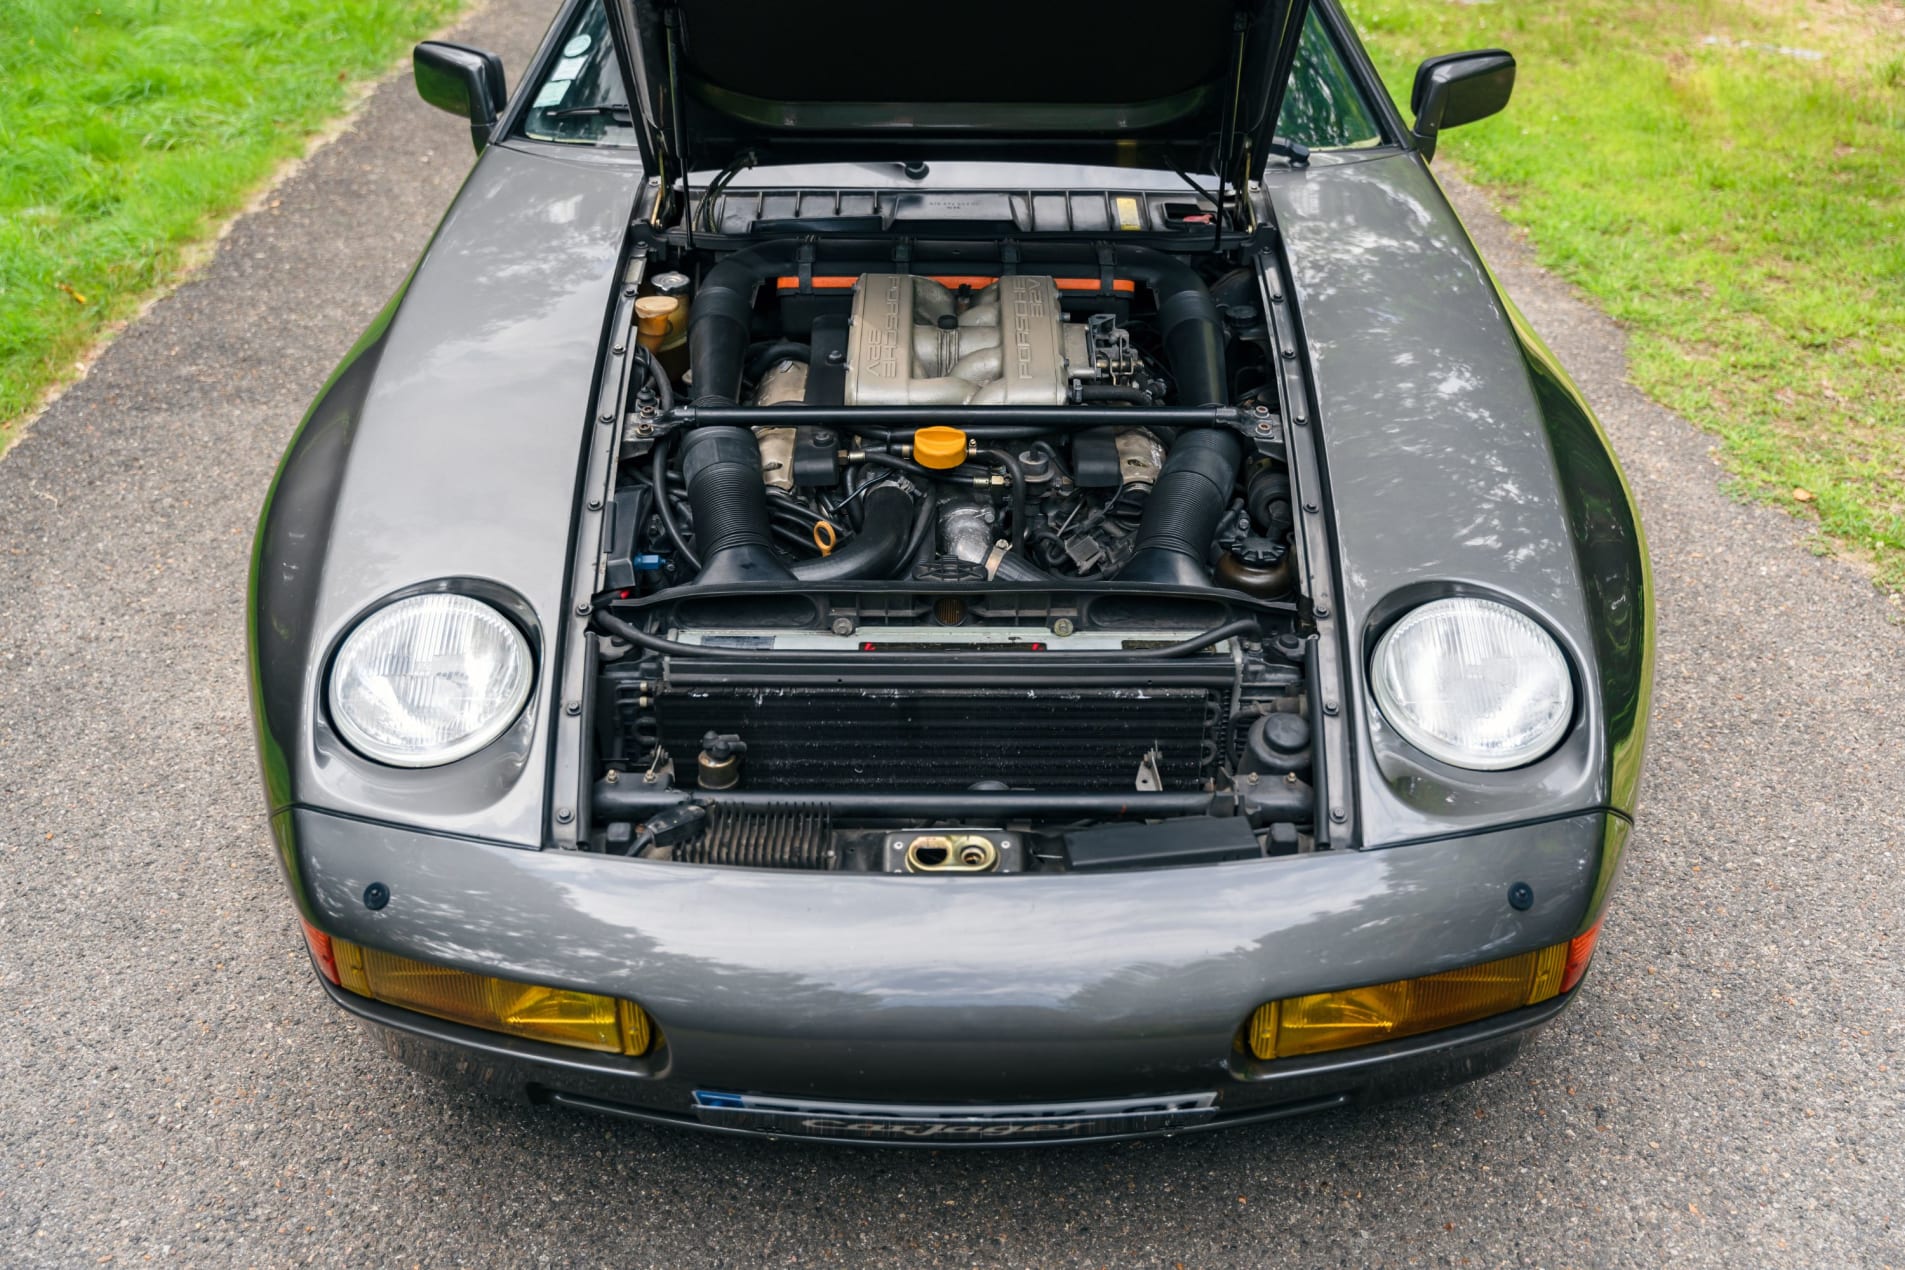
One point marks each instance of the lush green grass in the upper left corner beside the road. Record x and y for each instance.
(129, 129)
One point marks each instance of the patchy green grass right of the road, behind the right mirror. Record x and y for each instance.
(1740, 210)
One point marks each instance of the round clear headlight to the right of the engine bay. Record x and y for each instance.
(1474, 683)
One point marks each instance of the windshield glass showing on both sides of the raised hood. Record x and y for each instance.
(582, 100)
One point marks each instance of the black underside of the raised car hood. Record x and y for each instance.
(1121, 83)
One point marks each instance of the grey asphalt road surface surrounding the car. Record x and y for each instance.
(174, 1086)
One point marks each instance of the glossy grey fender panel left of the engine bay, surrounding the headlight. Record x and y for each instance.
(451, 446)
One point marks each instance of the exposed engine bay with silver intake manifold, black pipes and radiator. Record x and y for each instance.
(963, 559)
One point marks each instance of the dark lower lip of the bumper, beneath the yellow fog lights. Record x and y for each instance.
(1254, 1094)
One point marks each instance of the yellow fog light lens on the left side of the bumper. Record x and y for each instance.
(527, 1010)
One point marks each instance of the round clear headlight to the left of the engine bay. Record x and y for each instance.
(428, 681)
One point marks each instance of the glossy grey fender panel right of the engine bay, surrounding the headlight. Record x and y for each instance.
(1441, 471)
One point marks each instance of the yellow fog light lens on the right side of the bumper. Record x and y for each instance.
(1384, 1012)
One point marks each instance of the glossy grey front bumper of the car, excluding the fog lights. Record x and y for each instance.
(1096, 1006)
